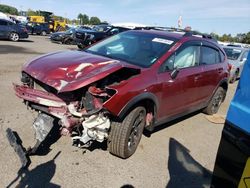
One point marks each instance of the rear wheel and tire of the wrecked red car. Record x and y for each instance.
(215, 102)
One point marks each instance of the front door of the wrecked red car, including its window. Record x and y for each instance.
(180, 78)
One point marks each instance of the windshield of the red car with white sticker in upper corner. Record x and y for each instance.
(142, 49)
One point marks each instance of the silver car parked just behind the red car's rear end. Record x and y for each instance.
(237, 58)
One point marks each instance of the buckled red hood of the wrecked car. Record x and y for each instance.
(71, 70)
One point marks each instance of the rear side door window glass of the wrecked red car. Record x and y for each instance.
(209, 56)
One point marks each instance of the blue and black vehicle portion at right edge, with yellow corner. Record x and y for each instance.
(232, 166)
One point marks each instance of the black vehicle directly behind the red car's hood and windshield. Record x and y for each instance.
(85, 37)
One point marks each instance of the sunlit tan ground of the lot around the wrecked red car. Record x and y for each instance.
(178, 154)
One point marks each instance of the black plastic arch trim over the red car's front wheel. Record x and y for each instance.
(135, 100)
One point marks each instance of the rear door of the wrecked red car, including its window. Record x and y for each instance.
(212, 70)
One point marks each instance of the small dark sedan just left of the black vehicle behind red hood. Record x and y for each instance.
(66, 37)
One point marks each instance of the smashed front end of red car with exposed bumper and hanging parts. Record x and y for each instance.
(80, 113)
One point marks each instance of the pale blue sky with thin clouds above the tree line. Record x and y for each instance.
(220, 16)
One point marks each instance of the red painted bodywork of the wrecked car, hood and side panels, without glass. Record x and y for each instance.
(190, 90)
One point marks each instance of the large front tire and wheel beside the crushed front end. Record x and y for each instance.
(125, 136)
